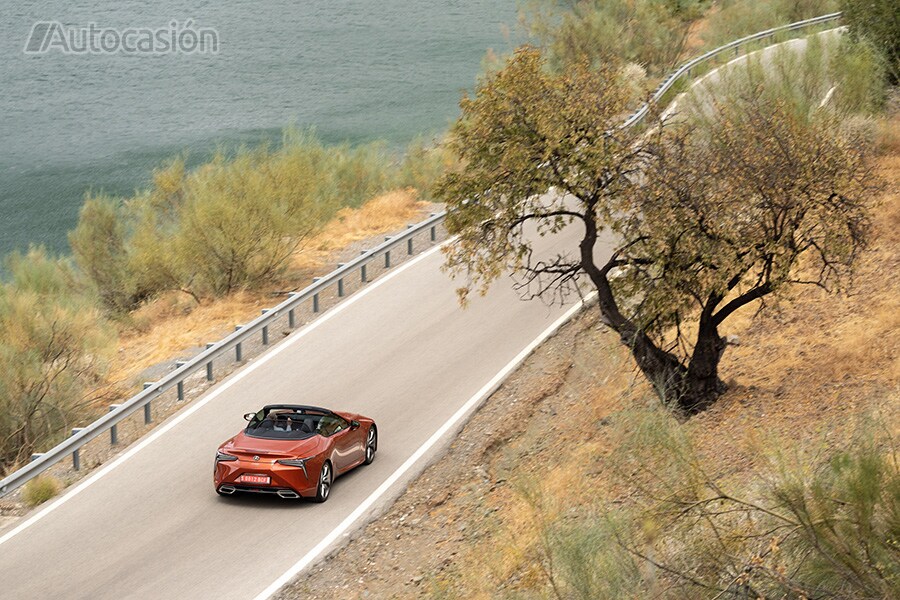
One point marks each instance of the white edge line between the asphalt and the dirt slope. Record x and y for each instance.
(480, 395)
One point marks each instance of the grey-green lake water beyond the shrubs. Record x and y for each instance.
(356, 70)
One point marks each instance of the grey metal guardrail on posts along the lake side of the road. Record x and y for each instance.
(205, 360)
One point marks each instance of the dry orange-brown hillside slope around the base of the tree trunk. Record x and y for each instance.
(561, 438)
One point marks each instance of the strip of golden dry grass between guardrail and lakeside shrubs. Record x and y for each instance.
(173, 324)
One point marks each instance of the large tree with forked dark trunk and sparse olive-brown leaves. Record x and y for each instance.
(701, 225)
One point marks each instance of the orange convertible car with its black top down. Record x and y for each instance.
(294, 451)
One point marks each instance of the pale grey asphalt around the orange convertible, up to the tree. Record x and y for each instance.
(403, 353)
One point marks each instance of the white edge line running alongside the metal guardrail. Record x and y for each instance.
(156, 434)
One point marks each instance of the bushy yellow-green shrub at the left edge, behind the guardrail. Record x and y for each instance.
(52, 347)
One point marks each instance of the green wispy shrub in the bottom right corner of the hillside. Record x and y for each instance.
(844, 533)
